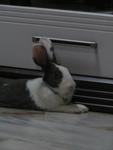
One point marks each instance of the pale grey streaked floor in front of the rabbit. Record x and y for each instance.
(55, 131)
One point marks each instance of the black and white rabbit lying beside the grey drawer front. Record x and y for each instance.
(52, 92)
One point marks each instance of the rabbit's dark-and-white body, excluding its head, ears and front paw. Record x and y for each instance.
(31, 94)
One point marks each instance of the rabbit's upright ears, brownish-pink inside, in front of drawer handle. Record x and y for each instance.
(43, 53)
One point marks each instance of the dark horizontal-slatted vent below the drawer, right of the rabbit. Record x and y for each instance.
(97, 96)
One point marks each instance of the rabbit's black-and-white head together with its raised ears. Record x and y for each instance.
(57, 77)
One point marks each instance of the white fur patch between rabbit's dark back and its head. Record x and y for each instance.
(42, 95)
